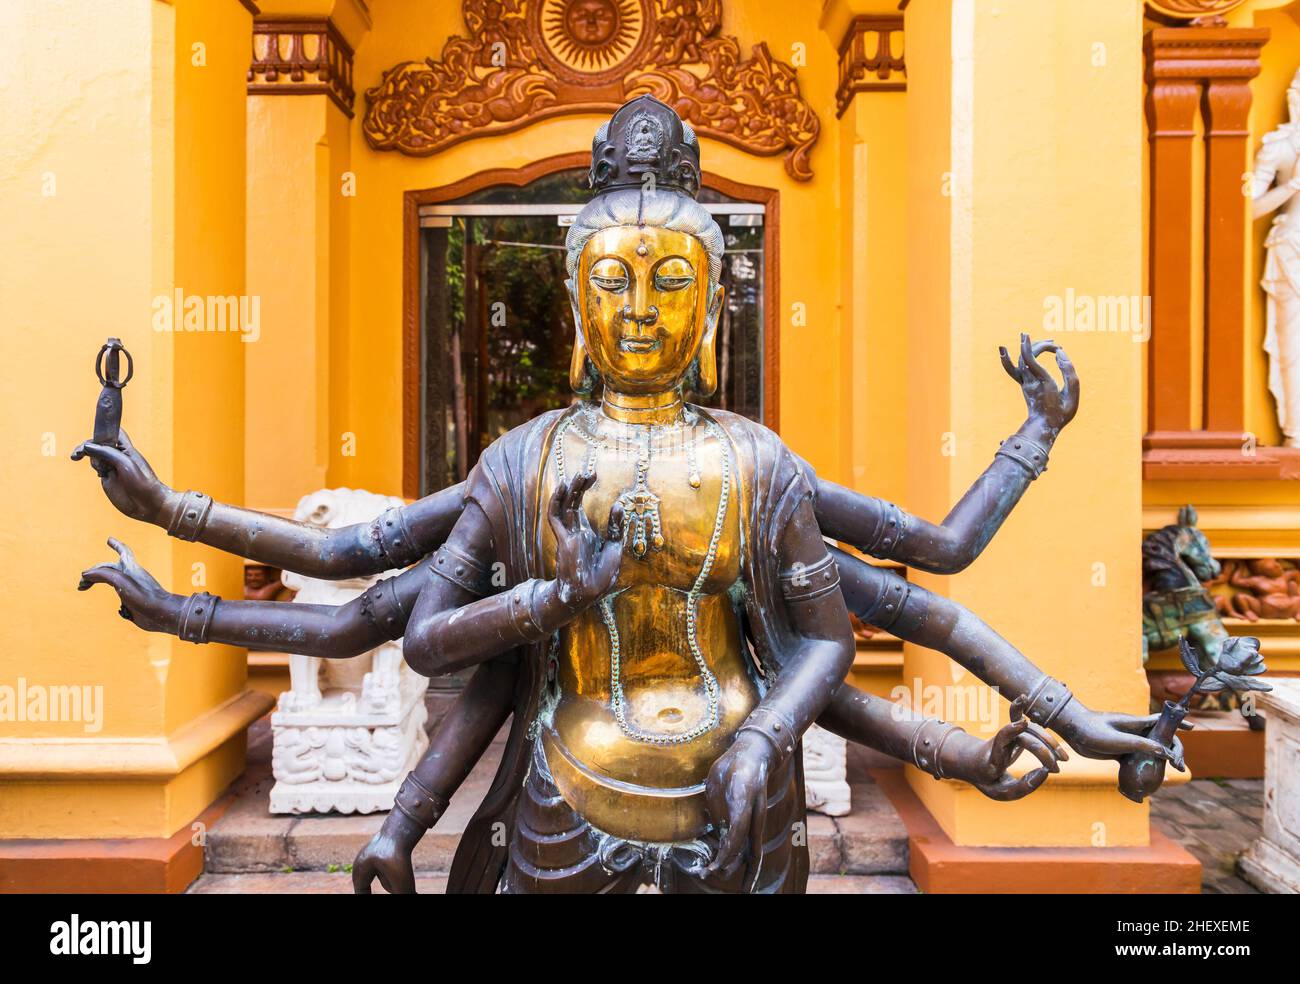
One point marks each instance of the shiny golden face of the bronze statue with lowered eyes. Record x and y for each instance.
(643, 293)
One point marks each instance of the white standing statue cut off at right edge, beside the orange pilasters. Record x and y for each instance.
(1277, 180)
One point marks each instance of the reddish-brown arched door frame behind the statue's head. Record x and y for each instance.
(519, 177)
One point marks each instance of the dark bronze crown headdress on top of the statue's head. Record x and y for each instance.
(645, 137)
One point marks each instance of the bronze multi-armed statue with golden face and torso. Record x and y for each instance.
(642, 584)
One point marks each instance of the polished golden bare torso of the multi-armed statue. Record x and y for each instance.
(645, 706)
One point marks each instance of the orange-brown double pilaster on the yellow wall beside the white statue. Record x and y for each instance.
(1199, 75)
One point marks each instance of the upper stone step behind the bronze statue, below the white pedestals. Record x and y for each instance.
(870, 842)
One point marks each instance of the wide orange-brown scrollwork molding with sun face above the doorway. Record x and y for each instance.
(528, 60)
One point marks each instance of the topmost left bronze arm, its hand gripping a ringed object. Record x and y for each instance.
(395, 540)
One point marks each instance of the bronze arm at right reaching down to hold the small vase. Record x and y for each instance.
(887, 601)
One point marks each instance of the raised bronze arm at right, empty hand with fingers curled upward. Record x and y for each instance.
(881, 530)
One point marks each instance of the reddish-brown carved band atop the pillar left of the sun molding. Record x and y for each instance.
(302, 58)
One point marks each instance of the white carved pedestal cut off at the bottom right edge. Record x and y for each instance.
(1273, 862)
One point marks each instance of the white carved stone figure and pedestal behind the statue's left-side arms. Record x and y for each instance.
(349, 730)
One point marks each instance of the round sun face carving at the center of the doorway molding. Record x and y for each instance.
(592, 38)
